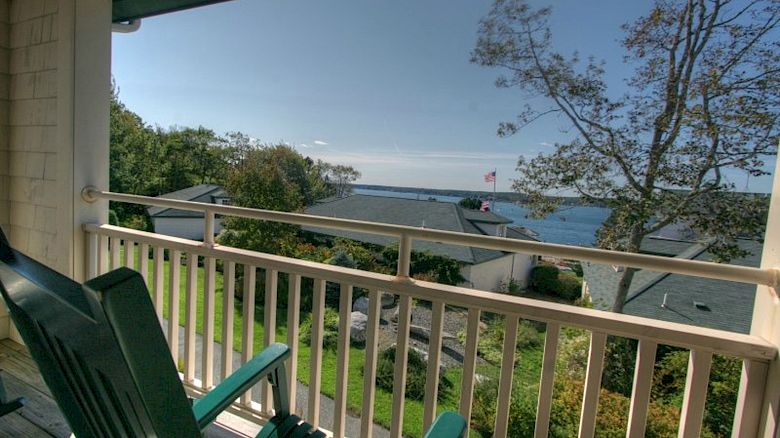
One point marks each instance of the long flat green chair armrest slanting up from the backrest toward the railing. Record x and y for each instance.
(218, 399)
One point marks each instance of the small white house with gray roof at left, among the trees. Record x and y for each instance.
(183, 223)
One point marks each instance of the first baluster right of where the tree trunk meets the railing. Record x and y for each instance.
(643, 382)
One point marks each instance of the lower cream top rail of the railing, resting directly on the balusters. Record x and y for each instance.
(662, 332)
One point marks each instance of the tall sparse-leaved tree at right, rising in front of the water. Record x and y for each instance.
(702, 100)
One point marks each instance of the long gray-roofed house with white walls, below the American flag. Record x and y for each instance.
(482, 268)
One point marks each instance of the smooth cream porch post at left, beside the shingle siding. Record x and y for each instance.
(84, 88)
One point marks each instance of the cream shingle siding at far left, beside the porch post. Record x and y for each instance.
(28, 107)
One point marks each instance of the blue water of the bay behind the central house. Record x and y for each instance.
(569, 225)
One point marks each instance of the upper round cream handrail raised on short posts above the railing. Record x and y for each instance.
(742, 274)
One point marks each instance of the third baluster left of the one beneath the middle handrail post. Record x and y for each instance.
(315, 365)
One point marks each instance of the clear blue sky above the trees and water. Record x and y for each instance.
(383, 86)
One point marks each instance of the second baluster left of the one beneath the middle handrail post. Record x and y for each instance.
(342, 352)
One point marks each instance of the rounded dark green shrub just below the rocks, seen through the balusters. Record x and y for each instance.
(416, 373)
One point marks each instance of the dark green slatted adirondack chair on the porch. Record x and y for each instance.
(102, 352)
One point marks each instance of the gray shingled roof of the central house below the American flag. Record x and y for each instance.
(411, 212)
